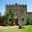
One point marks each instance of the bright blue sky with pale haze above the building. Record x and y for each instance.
(4, 2)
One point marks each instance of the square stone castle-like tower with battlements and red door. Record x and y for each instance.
(18, 12)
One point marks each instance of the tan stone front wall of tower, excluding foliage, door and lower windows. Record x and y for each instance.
(18, 10)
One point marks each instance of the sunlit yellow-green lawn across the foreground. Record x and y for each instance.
(26, 29)
